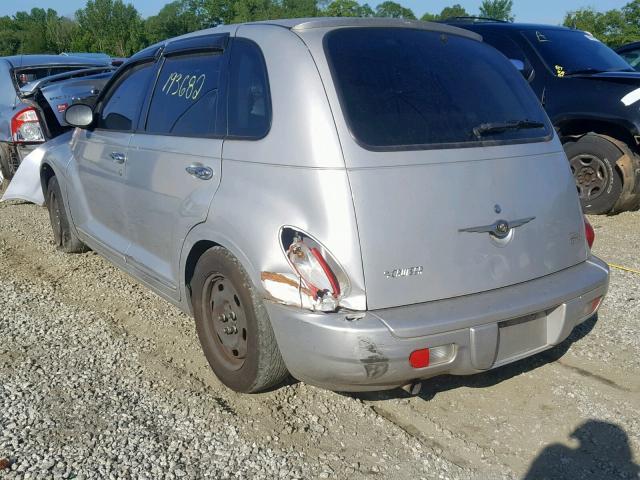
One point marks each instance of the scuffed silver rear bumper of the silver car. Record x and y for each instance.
(369, 351)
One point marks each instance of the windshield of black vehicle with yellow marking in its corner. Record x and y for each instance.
(574, 51)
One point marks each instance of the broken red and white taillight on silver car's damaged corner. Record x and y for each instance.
(313, 269)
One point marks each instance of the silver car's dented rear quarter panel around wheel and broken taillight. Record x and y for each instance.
(294, 176)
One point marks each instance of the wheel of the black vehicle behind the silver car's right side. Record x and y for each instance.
(593, 164)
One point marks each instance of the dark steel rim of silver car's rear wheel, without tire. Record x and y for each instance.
(227, 321)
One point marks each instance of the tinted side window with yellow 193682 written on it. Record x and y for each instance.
(185, 100)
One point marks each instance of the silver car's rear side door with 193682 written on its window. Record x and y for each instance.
(174, 161)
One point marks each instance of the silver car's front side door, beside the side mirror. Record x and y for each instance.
(97, 195)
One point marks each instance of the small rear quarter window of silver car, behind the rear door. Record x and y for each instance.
(249, 108)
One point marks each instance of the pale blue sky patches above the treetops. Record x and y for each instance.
(535, 11)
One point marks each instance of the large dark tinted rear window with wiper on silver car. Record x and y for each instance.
(416, 89)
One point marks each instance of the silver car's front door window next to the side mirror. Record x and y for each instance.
(123, 103)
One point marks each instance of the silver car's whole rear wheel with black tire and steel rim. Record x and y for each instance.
(248, 359)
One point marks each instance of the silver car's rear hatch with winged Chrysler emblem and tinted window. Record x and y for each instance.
(458, 183)
